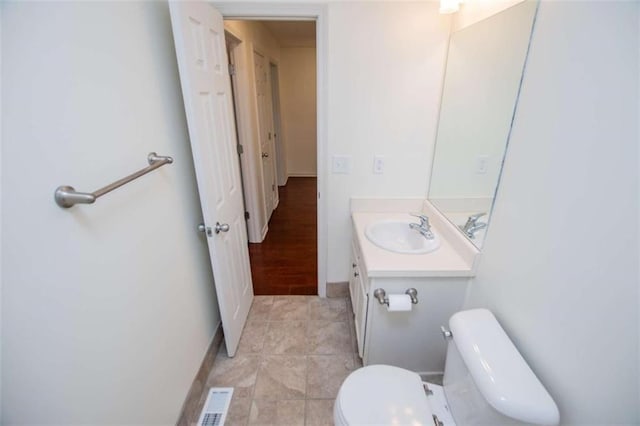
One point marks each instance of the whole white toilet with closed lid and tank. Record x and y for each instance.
(486, 382)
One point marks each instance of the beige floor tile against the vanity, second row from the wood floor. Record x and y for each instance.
(329, 337)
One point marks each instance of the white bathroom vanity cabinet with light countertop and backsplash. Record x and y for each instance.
(409, 339)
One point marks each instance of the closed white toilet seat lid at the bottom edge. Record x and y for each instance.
(382, 395)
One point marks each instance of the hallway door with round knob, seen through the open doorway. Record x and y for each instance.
(264, 122)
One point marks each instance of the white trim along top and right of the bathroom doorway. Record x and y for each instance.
(302, 11)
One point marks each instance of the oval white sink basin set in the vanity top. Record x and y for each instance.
(398, 237)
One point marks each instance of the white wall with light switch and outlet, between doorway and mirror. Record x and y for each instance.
(386, 63)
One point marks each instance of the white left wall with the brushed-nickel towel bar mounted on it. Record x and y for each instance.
(107, 309)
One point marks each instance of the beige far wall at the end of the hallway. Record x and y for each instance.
(298, 105)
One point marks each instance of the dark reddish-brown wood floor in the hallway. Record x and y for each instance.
(286, 261)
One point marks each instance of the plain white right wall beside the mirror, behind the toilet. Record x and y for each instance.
(560, 261)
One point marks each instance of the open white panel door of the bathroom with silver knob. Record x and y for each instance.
(198, 32)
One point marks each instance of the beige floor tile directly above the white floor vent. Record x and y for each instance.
(239, 372)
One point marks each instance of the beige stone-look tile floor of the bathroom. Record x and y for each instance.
(294, 353)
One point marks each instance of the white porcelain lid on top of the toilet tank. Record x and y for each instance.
(501, 374)
